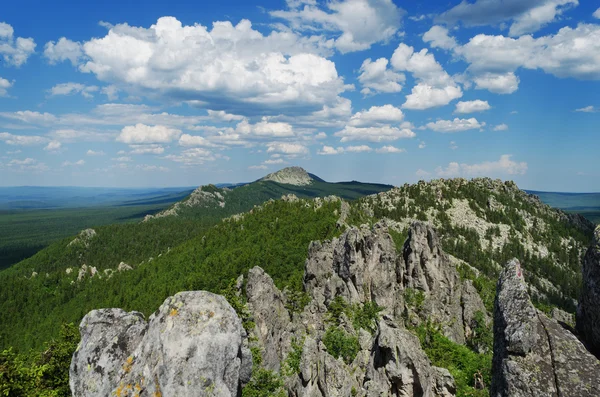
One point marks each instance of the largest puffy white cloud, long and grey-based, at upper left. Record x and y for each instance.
(232, 68)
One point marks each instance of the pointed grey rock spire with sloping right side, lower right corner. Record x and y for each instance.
(535, 355)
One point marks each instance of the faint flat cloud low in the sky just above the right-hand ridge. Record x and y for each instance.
(504, 166)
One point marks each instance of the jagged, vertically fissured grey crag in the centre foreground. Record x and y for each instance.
(362, 266)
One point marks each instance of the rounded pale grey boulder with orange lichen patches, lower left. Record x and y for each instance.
(194, 345)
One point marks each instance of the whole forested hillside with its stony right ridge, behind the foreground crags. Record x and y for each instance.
(481, 223)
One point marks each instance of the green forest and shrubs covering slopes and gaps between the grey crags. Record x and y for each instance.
(204, 248)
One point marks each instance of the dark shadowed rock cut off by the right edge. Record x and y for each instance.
(588, 312)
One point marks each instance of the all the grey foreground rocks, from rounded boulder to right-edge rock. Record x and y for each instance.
(195, 344)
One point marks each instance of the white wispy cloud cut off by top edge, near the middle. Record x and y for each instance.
(354, 24)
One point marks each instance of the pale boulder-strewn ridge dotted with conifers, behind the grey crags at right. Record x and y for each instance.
(495, 218)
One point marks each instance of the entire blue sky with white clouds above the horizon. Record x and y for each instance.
(184, 93)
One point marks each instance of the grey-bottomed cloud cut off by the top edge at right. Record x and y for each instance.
(527, 16)
